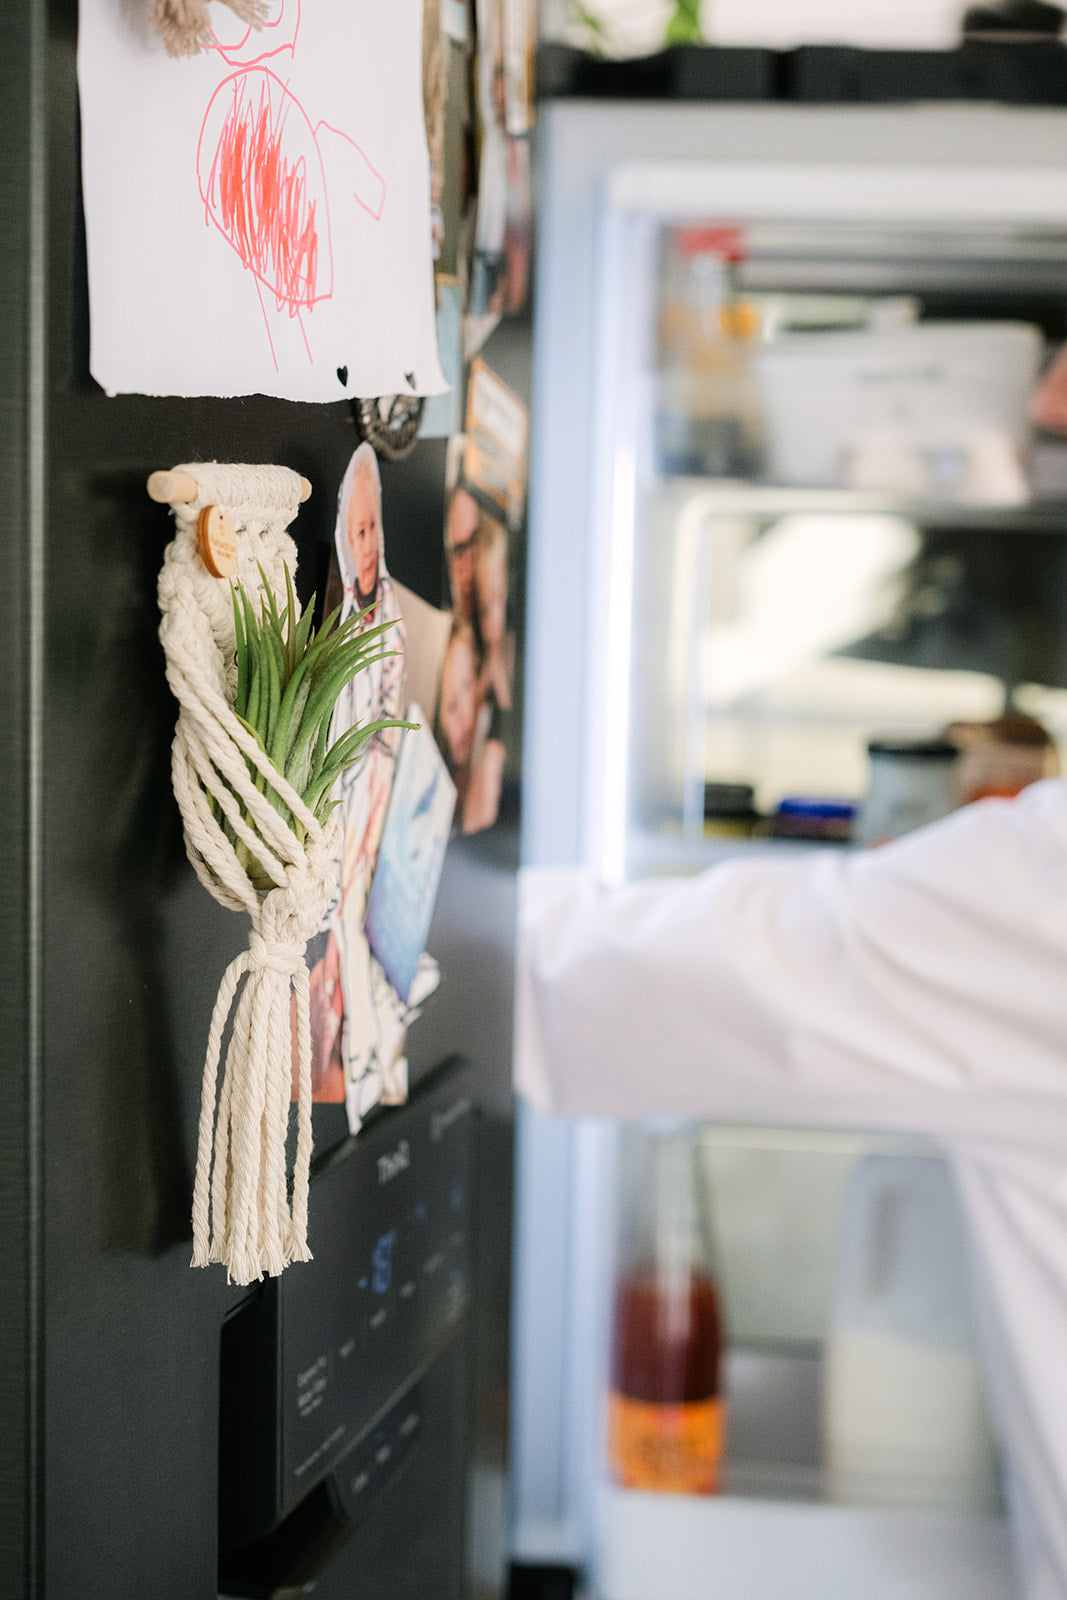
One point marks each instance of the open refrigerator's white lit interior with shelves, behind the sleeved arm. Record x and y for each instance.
(761, 545)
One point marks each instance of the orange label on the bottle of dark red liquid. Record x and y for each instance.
(673, 1449)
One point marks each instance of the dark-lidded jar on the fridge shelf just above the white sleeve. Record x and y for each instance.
(911, 783)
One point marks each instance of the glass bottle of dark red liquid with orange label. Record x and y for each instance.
(666, 1414)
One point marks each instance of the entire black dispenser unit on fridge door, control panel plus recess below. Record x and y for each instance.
(346, 1386)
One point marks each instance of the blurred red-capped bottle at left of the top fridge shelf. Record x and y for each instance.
(709, 409)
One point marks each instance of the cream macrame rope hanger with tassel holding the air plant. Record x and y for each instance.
(241, 1214)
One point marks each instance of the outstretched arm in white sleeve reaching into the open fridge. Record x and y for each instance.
(866, 990)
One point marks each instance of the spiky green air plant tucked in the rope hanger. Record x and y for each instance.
(289, 681)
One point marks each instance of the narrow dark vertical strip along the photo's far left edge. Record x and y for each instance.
(22, 534)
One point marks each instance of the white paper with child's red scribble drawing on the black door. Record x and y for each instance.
(258, 217)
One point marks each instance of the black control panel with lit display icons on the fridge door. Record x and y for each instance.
(313, 1364)
